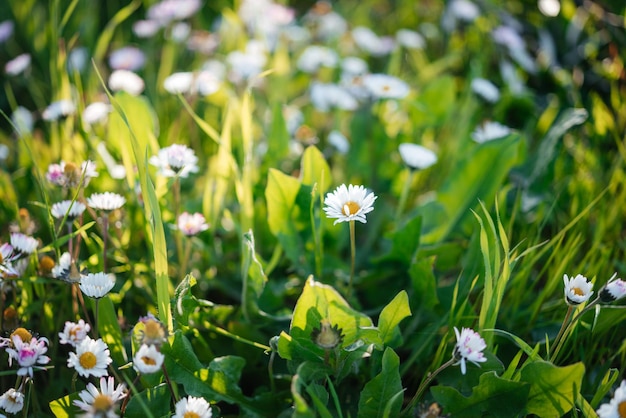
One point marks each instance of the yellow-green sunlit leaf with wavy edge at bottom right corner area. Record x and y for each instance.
(553, 389)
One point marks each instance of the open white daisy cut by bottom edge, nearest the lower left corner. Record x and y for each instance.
(101, 403)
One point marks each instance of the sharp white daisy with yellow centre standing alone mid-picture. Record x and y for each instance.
(349, 203)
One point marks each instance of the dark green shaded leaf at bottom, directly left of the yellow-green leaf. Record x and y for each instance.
(493, 397)
